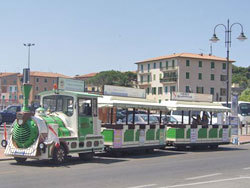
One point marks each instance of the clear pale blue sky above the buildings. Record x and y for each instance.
(76, 37)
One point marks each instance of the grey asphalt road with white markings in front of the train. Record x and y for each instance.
(228, 166)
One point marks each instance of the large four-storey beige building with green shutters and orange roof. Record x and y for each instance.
(184, 72)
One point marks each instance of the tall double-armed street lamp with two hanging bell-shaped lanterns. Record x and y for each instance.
(228, 30)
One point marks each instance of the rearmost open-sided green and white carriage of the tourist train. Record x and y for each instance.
(204, 125)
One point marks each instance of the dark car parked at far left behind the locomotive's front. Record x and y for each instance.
(8, 115)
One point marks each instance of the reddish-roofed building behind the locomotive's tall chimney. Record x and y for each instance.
(40, 81)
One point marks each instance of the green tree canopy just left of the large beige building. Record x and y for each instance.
(114, 78)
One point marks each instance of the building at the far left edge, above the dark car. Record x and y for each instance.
(8, 89)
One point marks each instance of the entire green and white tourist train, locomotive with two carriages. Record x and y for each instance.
(71, 122)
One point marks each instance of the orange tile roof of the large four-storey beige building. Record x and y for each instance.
(187, 55)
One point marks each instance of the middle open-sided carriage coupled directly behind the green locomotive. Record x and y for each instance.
(129, 123)
